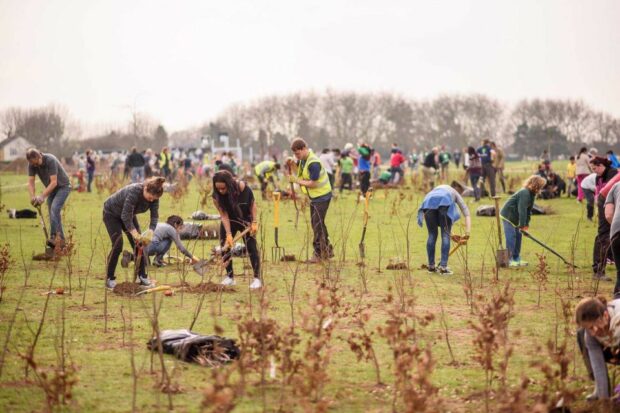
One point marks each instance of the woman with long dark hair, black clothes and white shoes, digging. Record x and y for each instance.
(235, 201)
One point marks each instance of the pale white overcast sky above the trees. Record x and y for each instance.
(185, 61)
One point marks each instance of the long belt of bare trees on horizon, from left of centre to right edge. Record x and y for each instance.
(332, 119)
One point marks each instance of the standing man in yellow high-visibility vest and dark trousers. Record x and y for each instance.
(314, 182)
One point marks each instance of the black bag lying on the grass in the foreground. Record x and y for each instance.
(194, 348)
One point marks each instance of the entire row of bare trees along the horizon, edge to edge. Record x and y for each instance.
(333, 118)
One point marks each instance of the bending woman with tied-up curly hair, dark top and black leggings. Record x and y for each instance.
(119, 216)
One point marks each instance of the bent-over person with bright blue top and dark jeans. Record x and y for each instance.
(439, 211)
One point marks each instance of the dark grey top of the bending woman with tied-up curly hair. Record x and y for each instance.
(129, 201)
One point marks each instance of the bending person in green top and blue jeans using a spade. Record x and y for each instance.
(516, 214)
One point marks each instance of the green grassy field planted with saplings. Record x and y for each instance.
(439, 366)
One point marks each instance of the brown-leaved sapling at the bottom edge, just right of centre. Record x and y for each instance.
(413, 364)
